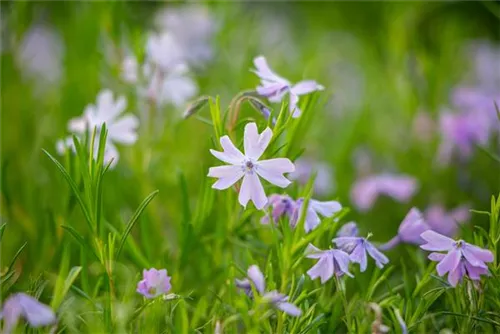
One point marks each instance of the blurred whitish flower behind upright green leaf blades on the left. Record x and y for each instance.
(121, 128)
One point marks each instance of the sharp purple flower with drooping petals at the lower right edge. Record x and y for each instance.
(461, 258)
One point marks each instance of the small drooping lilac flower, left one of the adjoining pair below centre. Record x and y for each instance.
(331, 261)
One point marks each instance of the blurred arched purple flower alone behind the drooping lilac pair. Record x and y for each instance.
(365, 191)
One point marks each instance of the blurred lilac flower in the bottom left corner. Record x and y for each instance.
(21, 305)
